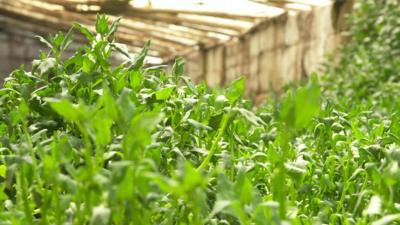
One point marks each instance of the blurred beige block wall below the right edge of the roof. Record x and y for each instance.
(283, 49)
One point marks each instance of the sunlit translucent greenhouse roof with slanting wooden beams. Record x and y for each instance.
(175, 27)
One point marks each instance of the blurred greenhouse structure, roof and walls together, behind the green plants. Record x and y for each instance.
(269, 42)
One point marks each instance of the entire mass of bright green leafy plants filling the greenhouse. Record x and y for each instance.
(83, 142)
